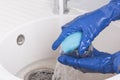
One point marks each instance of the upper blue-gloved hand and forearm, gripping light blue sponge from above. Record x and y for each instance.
(90, 24)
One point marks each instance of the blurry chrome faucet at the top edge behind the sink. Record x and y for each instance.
(60, 7)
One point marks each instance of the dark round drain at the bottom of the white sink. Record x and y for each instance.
(40, 74)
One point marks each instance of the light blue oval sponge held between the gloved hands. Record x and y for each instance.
(71, 42)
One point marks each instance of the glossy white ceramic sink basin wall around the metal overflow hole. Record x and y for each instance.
(39, 36)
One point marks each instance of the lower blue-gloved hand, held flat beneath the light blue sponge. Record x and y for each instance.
(97, 62)
